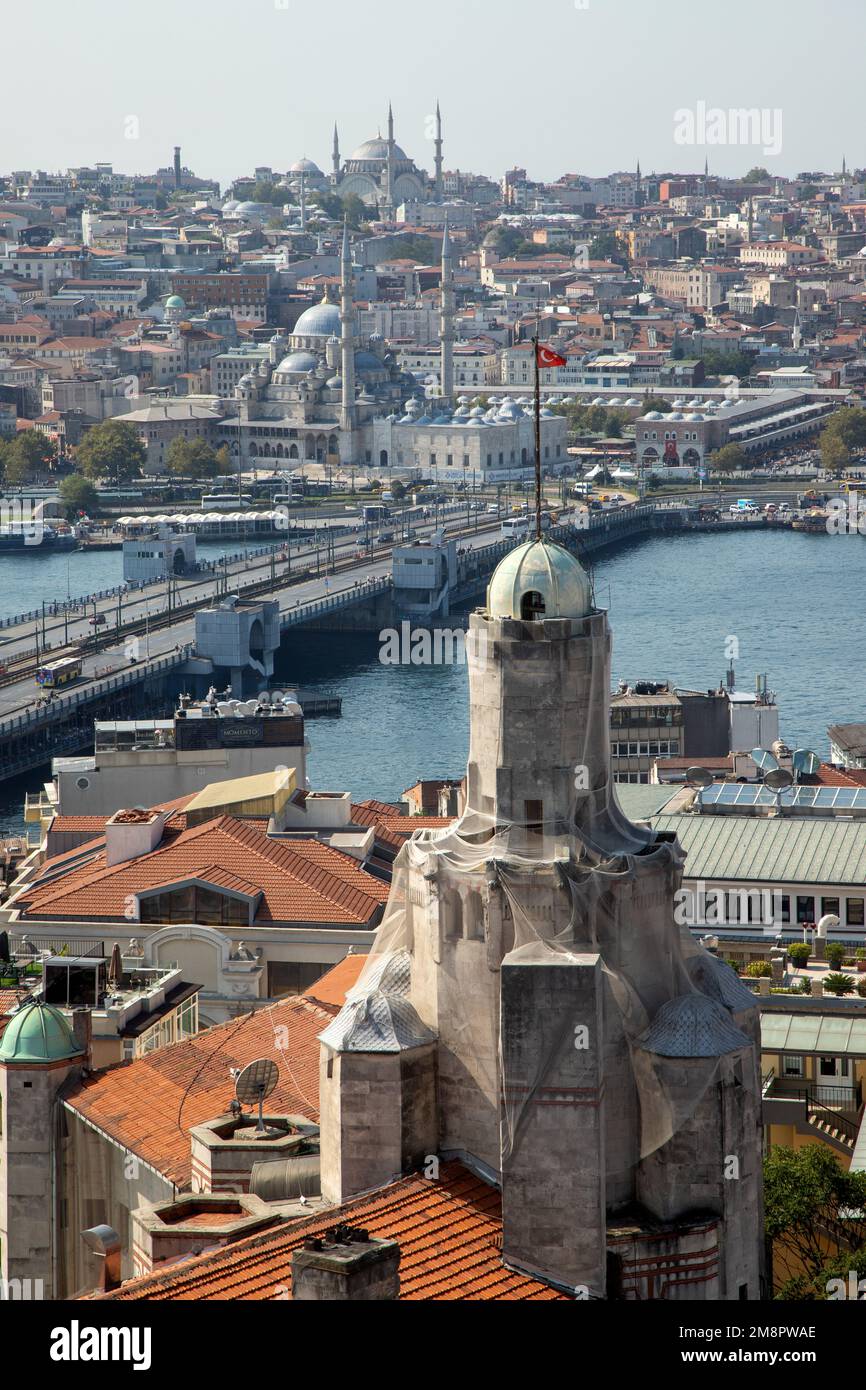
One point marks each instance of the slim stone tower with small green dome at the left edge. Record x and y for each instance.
(38, 1054)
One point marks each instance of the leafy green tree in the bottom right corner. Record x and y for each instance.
(812, 1203)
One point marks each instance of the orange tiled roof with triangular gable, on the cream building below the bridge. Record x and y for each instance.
(300, 881)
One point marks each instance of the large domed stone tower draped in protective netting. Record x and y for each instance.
(590, 1057)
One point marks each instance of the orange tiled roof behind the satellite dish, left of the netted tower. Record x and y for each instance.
(149, 1106)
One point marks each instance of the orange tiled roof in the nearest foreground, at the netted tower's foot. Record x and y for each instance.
(450, 1234)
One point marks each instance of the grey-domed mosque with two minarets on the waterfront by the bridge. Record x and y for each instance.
(333, 397)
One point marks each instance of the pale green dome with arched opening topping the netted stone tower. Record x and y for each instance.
(540, 580)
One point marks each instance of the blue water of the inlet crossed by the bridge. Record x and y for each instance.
(793, 603)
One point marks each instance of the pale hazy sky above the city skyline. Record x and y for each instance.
(553, 85)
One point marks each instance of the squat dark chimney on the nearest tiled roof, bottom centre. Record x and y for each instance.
(347, 1266)
